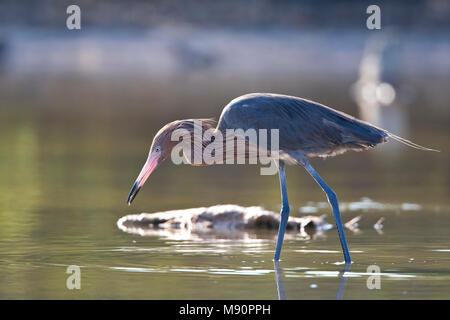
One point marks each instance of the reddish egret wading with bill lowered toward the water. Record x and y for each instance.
(306, 129)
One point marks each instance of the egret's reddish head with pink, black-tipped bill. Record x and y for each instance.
(161, 148)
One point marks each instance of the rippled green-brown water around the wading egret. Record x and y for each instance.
(65, 178)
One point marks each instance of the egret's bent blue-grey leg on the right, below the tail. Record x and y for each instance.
(332, 199)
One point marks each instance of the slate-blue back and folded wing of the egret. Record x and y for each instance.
(305, 126)
